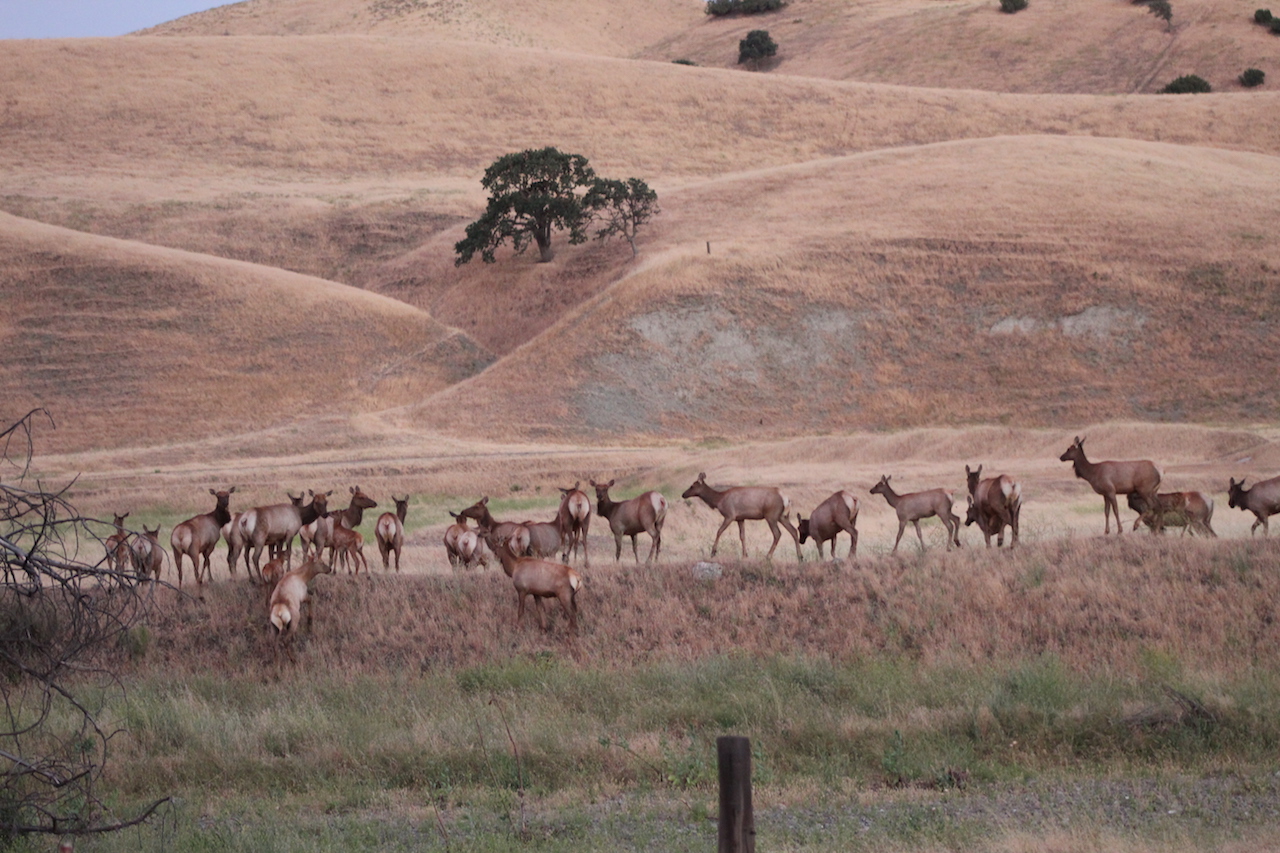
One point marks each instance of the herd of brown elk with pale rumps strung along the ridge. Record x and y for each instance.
(536, 555)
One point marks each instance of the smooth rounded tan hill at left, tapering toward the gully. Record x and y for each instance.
(127, 344)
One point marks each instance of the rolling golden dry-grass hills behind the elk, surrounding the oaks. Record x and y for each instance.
(881, 256)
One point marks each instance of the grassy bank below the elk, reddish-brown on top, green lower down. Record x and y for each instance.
(1128, 687)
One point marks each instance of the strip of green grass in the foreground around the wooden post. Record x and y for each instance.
(625, 759)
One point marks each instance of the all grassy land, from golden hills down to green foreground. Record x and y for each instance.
(927, 236)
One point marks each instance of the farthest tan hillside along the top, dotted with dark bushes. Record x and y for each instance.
(1062, 47)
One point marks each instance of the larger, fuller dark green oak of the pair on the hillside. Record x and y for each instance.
(532, 194)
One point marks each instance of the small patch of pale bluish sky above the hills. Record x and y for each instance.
(83, 19)
